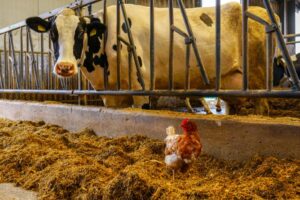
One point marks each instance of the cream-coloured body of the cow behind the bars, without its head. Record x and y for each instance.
(231, 40)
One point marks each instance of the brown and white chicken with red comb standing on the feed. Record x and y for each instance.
(181, 150)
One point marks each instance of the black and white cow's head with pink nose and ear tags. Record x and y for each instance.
(71, 36)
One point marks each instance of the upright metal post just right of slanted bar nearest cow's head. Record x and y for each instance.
(152, 46)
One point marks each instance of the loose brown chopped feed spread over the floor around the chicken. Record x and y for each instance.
(62, 165)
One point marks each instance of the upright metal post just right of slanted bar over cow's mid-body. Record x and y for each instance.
(218, 45)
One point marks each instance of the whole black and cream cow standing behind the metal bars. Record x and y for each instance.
(78, 42)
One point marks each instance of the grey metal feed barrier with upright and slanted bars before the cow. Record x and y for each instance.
(26, 67)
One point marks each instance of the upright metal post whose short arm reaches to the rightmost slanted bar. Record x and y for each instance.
(245, 44)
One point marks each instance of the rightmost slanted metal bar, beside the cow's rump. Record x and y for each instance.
(282, 46)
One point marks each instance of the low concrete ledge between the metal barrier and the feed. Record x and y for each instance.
(226, 137)
